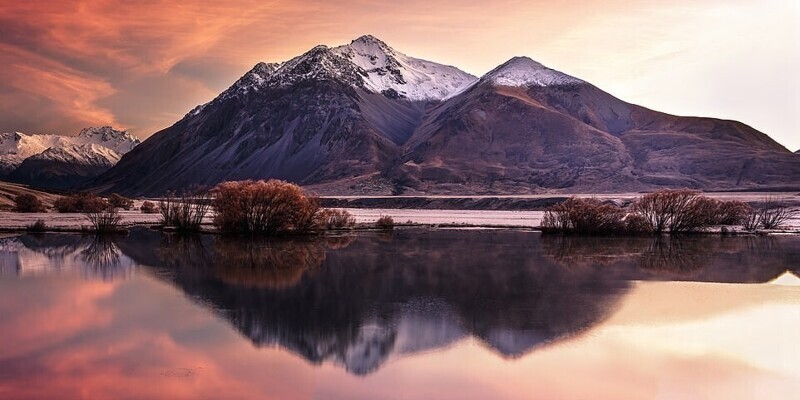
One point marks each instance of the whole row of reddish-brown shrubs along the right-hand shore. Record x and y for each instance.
(673, 211)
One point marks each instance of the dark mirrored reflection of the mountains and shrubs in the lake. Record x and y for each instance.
(361, 300)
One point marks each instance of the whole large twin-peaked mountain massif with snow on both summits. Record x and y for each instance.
(364, 118)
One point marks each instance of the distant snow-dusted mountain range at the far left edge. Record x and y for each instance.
(60, 162)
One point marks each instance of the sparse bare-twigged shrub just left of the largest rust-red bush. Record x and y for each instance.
(184, 212)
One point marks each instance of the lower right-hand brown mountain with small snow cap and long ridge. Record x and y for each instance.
(525, 126)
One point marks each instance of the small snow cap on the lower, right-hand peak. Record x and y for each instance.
(523, 71)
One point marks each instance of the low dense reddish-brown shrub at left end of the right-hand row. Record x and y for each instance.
(584, 217)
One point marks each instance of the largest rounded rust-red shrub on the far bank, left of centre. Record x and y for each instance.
(263, 208)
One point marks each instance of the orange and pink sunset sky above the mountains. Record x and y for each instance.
(142, 65)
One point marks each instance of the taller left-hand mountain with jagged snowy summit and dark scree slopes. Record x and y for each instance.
(318, 117)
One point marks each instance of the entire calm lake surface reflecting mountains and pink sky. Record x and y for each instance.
(414, 314)
